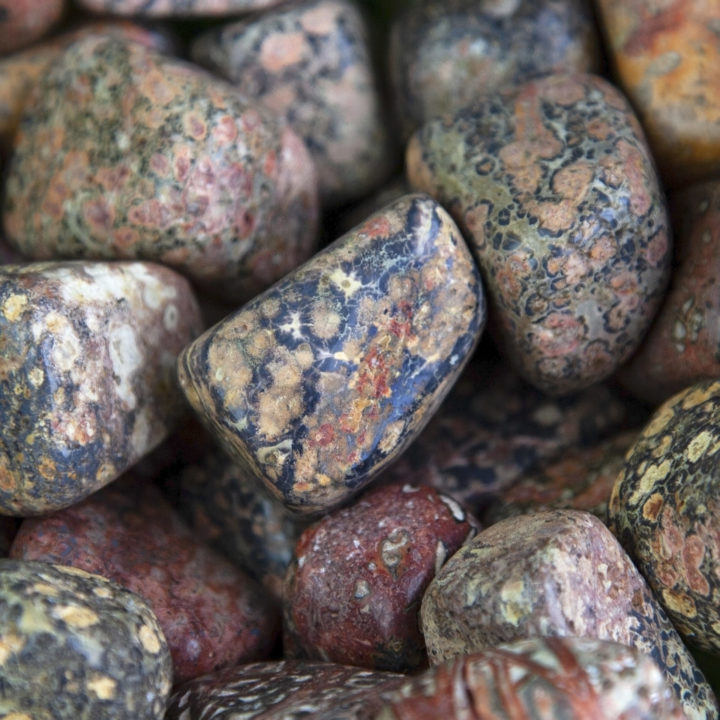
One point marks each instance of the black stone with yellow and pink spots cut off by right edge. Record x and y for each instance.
(665, 509)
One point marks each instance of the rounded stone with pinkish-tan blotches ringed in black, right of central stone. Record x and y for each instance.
(553, 185)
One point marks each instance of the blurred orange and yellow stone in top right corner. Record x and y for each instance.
(667, 58)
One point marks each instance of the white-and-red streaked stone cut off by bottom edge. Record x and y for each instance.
(543, 679)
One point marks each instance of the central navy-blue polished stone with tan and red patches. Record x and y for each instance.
(321, 381)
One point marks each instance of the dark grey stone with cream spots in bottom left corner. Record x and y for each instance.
(75, 646)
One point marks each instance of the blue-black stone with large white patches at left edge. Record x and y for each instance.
(87, 381)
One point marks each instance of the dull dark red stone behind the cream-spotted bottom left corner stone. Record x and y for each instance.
(211, 613)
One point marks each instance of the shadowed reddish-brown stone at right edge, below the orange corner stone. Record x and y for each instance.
(683, 344)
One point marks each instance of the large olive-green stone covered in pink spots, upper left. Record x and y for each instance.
(124, 153)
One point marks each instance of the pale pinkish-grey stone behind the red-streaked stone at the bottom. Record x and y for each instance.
(557, 573)
